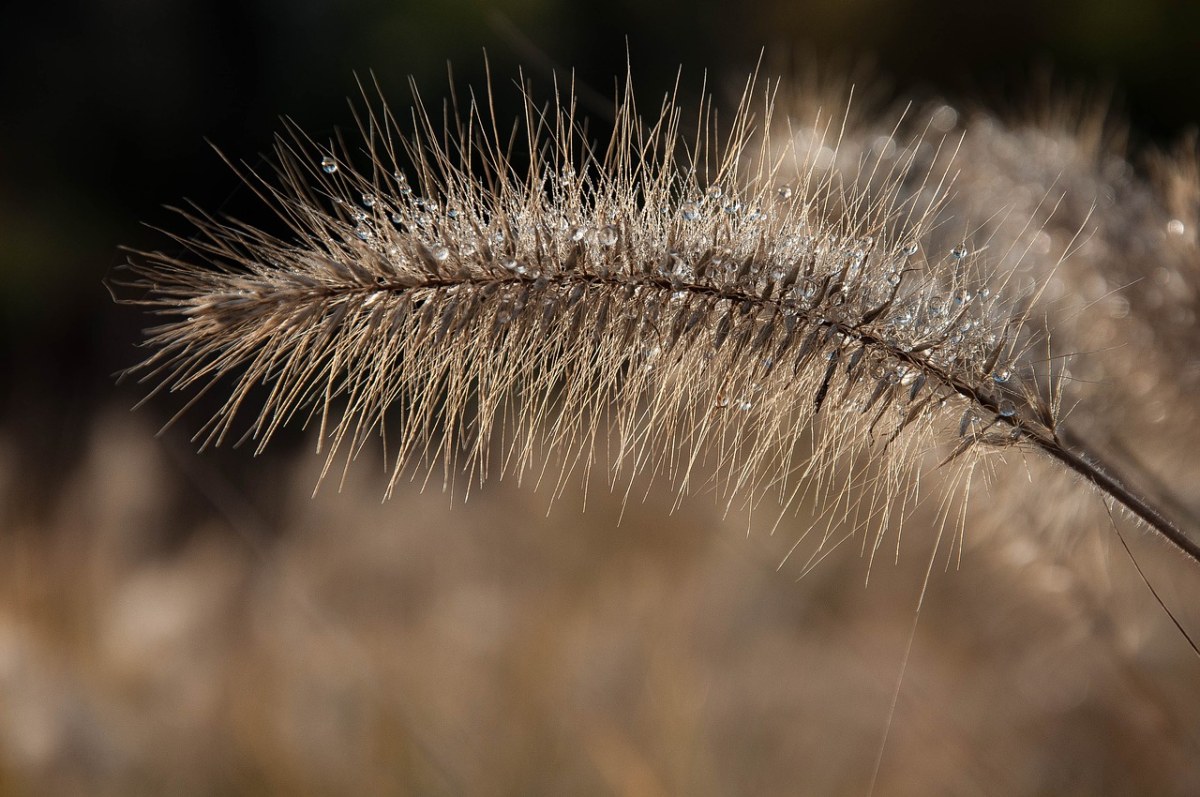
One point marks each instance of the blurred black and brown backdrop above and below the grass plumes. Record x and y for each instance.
(183, 625)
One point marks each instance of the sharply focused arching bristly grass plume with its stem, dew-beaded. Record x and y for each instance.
(716, 310)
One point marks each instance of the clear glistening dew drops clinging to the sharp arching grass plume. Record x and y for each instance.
(957, 317)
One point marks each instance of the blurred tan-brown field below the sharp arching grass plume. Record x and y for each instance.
(170, 626)
